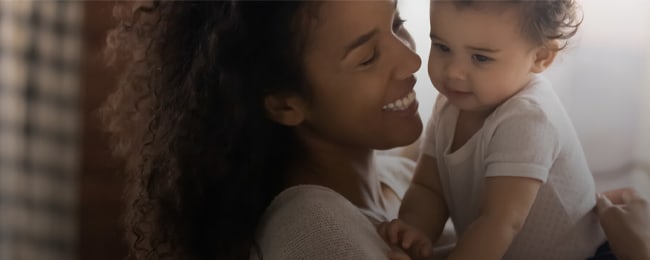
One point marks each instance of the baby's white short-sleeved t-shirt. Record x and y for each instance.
(529, 135)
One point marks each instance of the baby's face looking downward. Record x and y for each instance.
(479, 57)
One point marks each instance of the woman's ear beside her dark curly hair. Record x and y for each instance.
(285, 109)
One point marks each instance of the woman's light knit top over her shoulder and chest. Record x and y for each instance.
(314, 222)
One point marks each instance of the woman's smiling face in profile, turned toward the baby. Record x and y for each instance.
(360, 63)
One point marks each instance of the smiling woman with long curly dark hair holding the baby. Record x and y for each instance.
(226, 105)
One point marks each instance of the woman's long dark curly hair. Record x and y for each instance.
(203, 161)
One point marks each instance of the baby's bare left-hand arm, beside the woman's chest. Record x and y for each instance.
(424, 206)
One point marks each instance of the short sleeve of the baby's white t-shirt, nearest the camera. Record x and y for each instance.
(525, 143)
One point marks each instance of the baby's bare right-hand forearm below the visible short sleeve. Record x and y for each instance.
(507, 202)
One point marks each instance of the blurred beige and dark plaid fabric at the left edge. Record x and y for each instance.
(39, 85)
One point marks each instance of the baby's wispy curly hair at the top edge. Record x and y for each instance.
(542, 20)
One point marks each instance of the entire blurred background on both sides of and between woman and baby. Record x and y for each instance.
(61, 191)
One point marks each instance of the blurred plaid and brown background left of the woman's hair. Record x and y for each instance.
(60, 189)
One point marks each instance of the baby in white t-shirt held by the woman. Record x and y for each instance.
(500, 155)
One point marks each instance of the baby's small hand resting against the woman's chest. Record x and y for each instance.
(411, 240)
